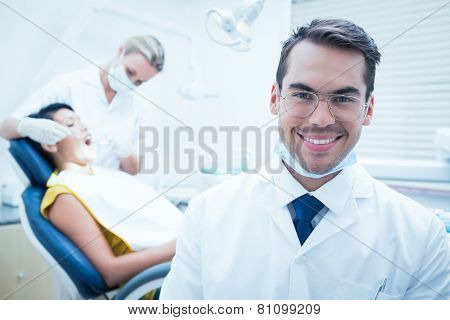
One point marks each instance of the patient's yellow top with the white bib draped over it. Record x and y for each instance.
(132, 215)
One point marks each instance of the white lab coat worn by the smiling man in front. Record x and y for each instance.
(238, 241)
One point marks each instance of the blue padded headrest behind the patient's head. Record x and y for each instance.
(36, 168)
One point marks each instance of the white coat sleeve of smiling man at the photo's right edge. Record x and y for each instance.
(432, 280)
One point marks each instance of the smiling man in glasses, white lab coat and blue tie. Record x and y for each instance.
(322, 227)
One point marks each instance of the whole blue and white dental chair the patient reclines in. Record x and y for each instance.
(75, 275)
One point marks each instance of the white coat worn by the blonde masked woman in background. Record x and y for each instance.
(83, 91)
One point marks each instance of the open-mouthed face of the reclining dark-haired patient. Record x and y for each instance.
(75, 148)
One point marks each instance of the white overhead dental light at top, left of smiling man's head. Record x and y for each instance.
(232, 28)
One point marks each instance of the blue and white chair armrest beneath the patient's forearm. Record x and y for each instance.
(144, 282)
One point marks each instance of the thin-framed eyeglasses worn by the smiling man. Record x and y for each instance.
(303, 103)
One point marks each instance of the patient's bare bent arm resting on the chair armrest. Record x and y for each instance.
(72, 218)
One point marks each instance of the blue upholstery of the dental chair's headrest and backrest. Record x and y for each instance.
(86, 278)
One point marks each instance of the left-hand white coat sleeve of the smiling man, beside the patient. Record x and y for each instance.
(184, 280)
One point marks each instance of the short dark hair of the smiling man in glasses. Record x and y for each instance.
(334, 33)
